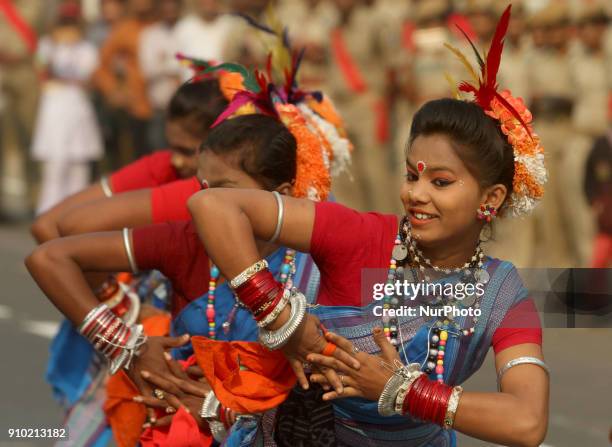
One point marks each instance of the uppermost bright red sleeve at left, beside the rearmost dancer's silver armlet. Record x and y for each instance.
(146, 172)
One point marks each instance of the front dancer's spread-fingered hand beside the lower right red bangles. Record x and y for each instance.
(367, 381)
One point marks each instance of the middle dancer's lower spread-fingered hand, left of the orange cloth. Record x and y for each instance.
(173, 391)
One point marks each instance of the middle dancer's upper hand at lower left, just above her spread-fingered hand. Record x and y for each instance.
(151, 358)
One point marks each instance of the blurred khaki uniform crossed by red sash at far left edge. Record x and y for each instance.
(20, 96)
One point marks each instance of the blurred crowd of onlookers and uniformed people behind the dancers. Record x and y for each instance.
(102, 72)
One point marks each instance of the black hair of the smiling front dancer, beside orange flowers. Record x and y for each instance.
(475, 137)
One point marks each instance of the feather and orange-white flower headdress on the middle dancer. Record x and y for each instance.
(323, 149)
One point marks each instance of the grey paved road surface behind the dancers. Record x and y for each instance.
(581, 396)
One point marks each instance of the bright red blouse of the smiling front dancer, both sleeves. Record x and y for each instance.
(345, 241)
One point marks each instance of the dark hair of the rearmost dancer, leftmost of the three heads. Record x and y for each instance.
(197, 105)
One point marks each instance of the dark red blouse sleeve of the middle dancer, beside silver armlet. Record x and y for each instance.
(174, 249)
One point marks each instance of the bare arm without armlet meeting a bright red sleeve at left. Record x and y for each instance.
(129, 209)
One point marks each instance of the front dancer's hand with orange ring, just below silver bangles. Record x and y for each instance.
(309, 339)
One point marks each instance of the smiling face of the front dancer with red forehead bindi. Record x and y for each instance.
(441, 200)
